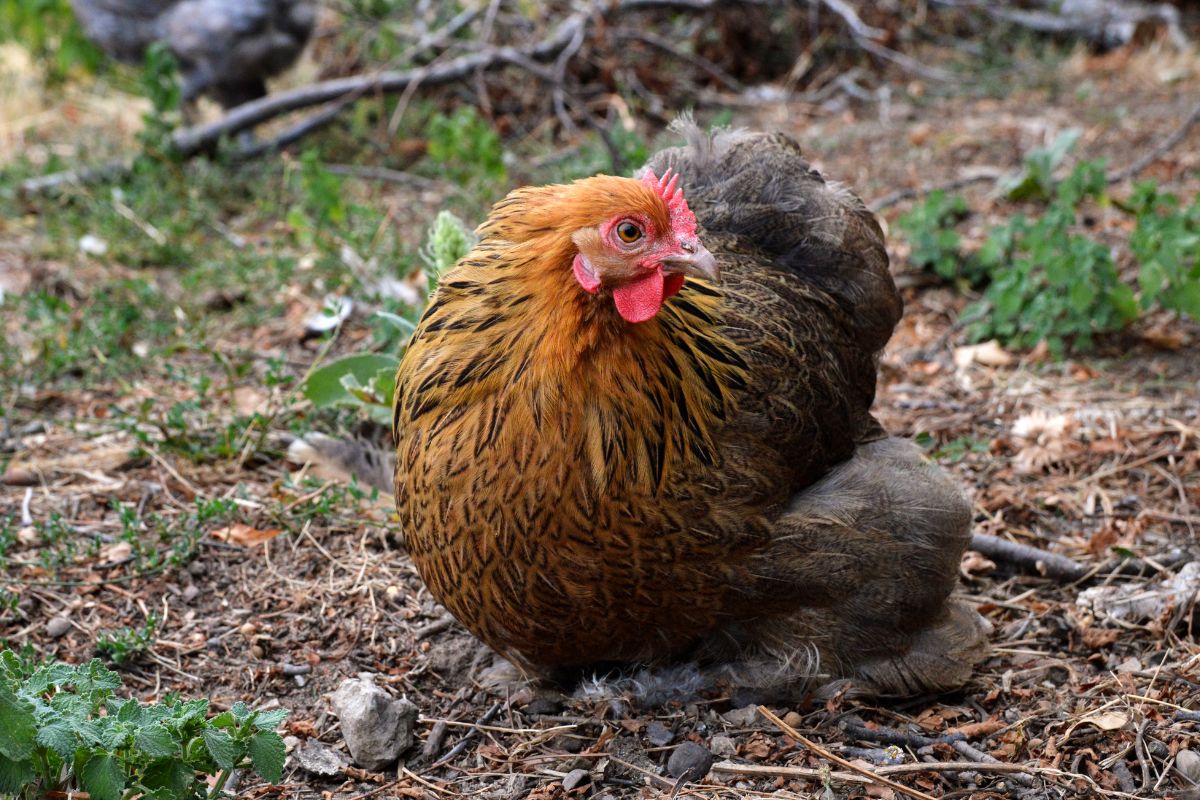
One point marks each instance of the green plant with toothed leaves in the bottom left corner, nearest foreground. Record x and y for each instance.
(64, 730)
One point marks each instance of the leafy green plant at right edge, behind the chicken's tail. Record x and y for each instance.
(1045, 279)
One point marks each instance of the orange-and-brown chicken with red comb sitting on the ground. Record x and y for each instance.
(633, 429)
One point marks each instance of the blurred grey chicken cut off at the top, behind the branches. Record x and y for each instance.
(225, 49)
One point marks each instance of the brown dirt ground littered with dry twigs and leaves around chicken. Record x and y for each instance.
(1089, 459)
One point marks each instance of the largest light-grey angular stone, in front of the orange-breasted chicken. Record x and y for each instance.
(377, 729)
